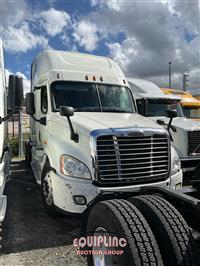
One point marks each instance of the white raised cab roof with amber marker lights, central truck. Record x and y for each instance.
(73, 66)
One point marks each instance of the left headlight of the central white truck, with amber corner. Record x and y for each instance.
(70, 166)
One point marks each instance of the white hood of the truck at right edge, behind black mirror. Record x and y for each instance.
(180, 122)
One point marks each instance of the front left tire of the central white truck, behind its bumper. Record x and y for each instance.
(48, 205)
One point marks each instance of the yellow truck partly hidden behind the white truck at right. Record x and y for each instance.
(191, 106)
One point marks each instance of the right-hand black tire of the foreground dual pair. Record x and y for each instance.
(173, 235)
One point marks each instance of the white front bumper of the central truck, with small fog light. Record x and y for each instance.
(66, 188)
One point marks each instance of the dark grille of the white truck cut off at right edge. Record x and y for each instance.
(193, 142)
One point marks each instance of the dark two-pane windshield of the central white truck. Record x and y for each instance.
(88, 97)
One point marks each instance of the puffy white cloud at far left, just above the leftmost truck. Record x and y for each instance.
(21, 39)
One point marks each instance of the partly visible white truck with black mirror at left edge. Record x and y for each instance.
(10, 102)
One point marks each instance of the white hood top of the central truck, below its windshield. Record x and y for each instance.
(87, 122)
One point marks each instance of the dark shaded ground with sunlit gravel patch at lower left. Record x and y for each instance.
(30, 236)
